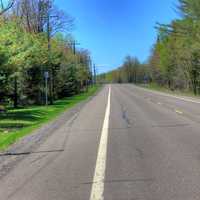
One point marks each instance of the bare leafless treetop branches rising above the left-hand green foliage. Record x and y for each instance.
(35, 15)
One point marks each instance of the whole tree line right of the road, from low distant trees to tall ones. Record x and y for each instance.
(175, 57)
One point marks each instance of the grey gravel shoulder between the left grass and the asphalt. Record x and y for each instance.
(27, 145)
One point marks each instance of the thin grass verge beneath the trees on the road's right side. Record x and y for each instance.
(156, 87)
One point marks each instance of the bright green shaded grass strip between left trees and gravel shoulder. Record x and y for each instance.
(20, 122)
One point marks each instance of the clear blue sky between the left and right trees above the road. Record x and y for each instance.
(112, 29)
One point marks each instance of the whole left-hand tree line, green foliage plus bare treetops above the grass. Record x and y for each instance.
(36, 43)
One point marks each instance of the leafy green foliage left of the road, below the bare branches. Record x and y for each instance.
(24, 57)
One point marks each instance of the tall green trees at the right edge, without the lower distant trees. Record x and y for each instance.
(175, 57)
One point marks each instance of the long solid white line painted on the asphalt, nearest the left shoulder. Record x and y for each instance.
(99, 174)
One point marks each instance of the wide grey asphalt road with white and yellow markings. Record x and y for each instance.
(127, 143)
